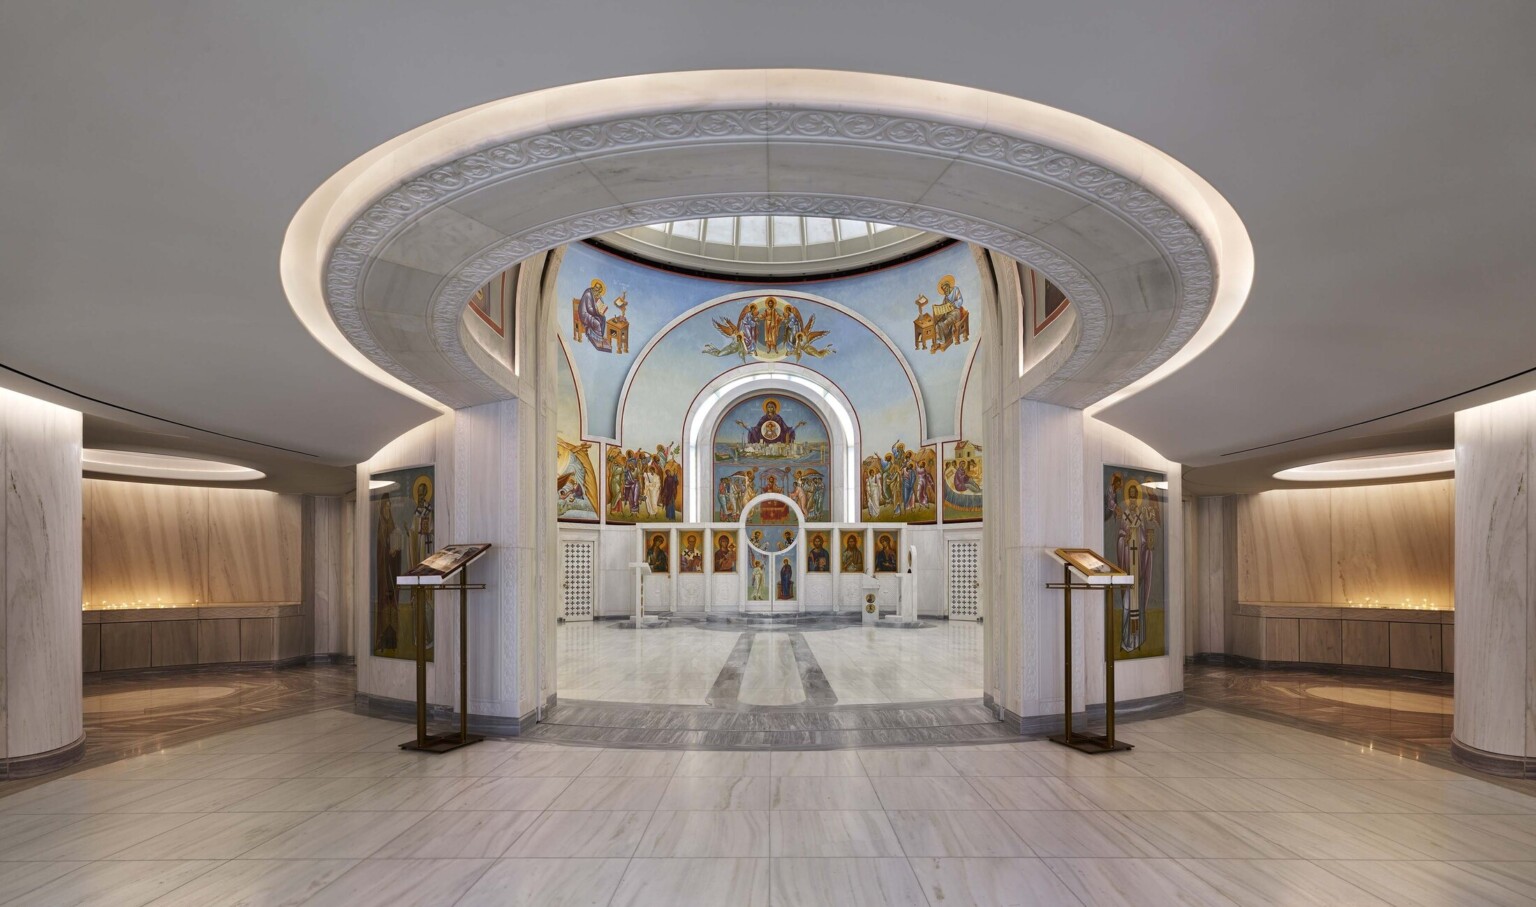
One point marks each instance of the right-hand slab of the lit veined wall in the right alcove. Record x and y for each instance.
(1394, 543)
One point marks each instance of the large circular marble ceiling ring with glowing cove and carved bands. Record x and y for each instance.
(383, 259)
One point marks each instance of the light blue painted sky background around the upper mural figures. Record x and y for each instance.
(886, 297)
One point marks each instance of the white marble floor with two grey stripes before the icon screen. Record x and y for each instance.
(732, 666)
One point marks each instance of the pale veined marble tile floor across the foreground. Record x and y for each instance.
(325, 809)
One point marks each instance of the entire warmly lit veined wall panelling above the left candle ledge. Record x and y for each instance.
(180, 545)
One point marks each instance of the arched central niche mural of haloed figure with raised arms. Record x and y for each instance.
(772, 444)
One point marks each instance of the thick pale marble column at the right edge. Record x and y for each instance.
(1495, 726)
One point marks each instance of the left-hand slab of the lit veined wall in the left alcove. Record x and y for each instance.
(145, 542)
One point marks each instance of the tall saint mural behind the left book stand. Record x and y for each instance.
(403, 534)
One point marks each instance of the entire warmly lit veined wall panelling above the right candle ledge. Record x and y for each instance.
(1332, 547)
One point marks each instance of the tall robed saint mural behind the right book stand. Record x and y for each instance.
(1134, 540)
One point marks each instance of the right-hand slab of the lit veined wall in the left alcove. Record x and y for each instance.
(254, 547)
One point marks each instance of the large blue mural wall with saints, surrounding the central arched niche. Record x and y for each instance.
(898, 345)
